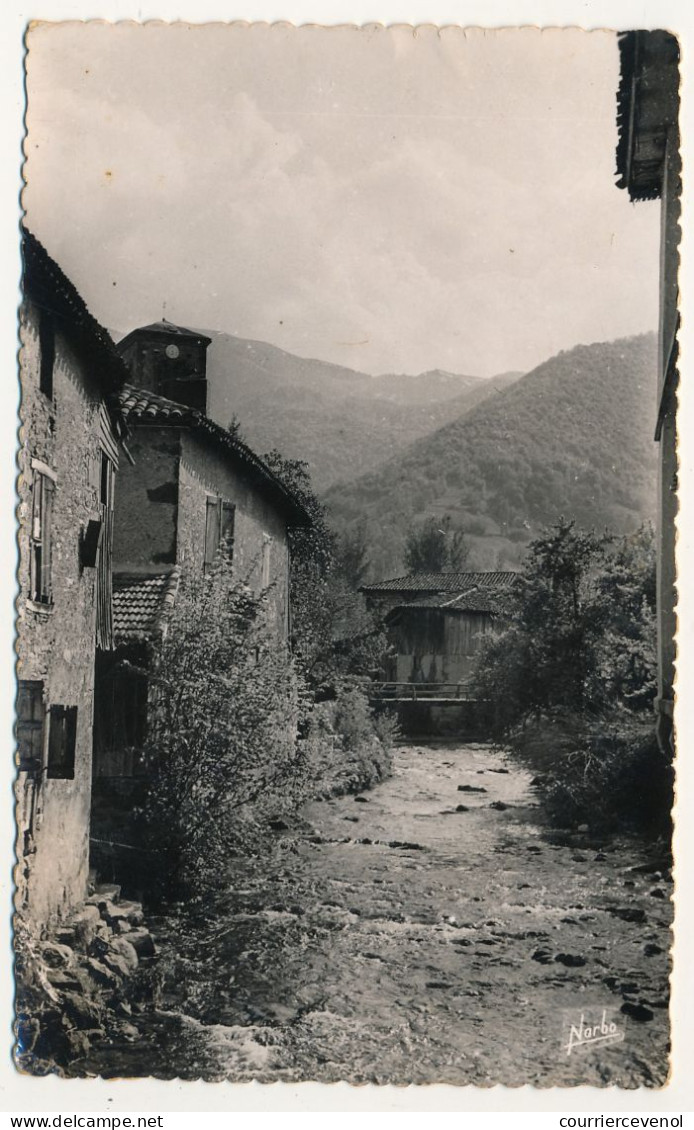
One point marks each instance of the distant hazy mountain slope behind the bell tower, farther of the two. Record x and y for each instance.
(337, 420)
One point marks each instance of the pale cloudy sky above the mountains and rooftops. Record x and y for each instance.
(389, 202)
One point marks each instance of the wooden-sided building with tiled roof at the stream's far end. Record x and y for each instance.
(436, 624)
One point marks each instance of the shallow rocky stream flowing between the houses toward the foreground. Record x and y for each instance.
(432, 932)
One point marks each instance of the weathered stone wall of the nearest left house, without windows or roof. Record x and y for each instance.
(57, 642)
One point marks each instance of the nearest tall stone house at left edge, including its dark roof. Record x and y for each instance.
(71, 375)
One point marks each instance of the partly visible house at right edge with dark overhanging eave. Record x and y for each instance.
(649, 168)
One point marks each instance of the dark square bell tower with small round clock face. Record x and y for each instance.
(170, 361)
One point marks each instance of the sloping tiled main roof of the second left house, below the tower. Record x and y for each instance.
(140, 406)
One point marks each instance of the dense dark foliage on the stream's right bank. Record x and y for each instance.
(571, 679)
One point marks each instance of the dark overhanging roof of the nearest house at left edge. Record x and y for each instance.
(46, 284)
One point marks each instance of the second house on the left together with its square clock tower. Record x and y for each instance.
(189, 491)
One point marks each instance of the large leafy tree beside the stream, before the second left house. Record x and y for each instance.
(224, 694)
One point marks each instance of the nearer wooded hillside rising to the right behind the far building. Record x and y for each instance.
(574, 438)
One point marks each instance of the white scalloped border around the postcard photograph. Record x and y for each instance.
(20, 1094)
